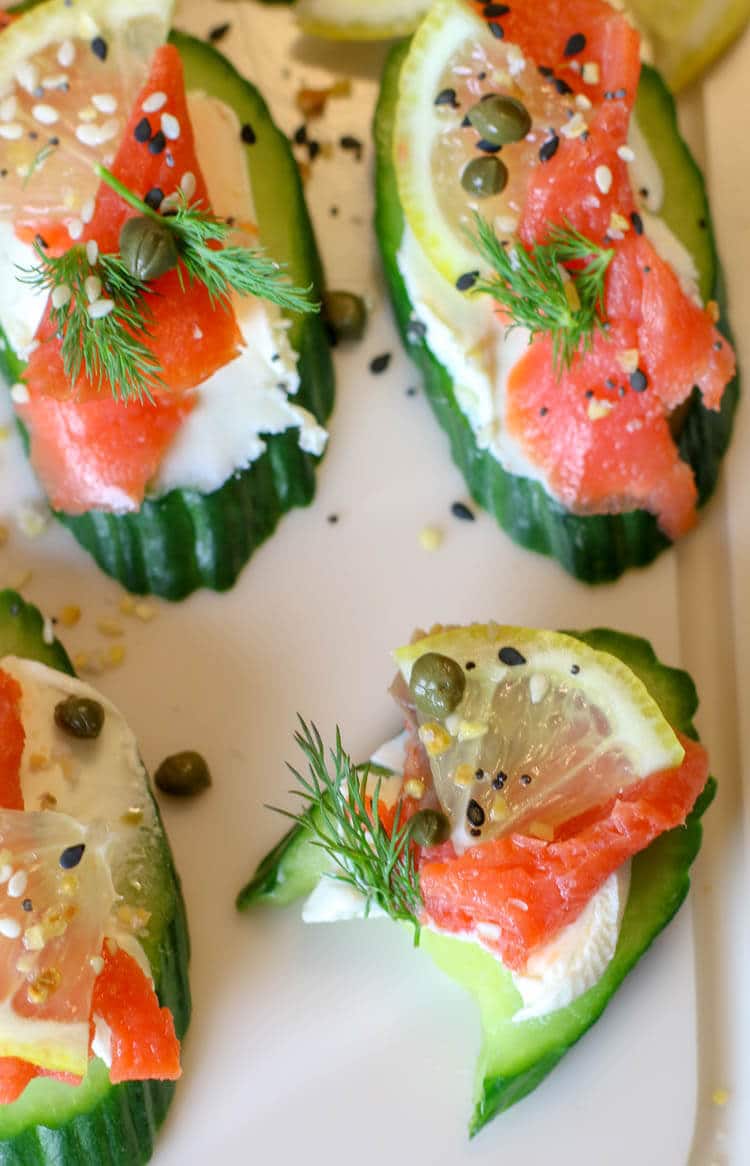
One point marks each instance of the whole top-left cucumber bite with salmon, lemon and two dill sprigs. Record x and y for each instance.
(159, 294)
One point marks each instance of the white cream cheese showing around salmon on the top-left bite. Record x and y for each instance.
(250, 398)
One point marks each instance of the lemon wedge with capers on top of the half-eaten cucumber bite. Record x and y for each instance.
(545, 729)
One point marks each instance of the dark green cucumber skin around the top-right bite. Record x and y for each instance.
(598, 549)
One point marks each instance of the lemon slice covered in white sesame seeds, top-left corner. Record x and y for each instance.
(68, 74)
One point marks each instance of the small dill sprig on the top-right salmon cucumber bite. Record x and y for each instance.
(556, 287)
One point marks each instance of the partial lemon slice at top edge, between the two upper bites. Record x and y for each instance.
(360, 20)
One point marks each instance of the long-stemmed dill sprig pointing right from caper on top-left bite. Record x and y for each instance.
(221, 270)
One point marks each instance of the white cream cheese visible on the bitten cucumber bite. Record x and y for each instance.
(557, 973)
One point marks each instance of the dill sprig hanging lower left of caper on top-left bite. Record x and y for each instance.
(114, 348)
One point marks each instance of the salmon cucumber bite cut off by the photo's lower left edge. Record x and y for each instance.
(93, 928)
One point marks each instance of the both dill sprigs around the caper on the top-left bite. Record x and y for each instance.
(107, 334)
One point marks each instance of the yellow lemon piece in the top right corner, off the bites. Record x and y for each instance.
(689, 36)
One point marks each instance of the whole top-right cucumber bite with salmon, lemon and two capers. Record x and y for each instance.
(552, 265)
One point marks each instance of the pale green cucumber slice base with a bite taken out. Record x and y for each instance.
(516, 1058)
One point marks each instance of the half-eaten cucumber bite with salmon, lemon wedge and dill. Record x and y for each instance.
(535, 824)
